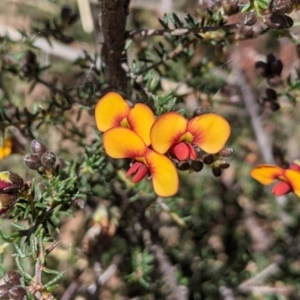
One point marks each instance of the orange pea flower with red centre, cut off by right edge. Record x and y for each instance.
(289, 179)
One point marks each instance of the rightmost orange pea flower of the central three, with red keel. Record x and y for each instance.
(174, 134)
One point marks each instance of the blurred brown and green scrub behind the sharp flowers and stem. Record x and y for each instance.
(223, 237)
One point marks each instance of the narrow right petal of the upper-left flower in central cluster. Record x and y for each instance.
(141, 119)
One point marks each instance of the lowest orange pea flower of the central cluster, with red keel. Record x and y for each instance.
(122, 142)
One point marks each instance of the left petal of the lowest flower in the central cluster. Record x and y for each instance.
(122, 142)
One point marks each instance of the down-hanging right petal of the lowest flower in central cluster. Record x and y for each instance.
(164, 174)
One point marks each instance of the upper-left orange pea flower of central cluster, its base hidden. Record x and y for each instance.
(113, 111)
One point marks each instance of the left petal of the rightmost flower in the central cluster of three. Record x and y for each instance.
(167, 131)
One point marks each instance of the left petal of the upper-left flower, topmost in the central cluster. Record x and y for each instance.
(110, 111)
